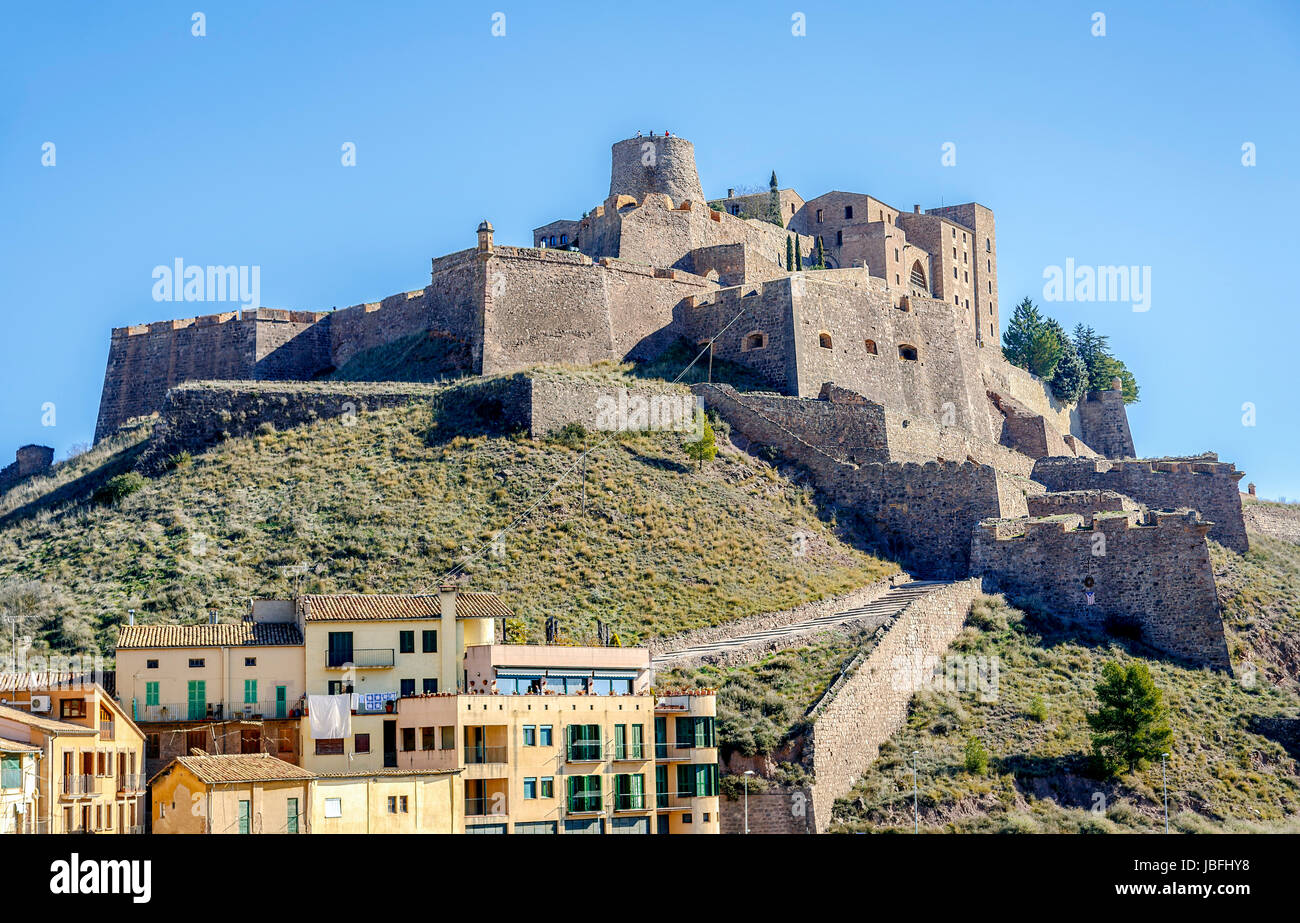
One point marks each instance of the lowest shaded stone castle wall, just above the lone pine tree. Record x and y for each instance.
(1156, 578)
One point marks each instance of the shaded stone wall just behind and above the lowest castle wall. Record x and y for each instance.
(1202, 484)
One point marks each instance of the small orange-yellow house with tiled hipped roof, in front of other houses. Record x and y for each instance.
(231, 794)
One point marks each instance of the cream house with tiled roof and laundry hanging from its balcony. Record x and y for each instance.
(379, 649)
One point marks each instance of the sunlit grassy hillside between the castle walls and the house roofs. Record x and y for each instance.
(393, 502)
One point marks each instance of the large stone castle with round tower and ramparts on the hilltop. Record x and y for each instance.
(886, 376)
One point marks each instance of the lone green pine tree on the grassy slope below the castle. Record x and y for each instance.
(1132, 723)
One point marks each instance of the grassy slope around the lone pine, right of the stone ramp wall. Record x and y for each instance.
(1230, 768)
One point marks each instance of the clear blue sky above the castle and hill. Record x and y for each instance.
(226, 150)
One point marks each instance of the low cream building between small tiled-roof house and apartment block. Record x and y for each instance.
(387, 801)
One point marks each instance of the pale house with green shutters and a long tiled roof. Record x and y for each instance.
(215, 687)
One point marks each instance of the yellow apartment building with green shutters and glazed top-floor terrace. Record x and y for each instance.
(569, 740)
